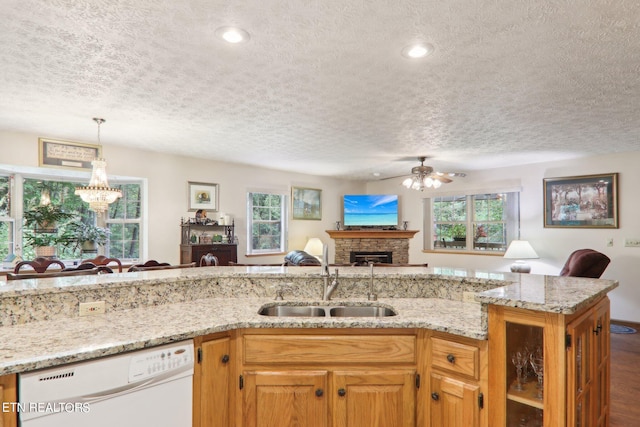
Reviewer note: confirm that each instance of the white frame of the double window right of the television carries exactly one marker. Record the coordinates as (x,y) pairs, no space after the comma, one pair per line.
(511,223)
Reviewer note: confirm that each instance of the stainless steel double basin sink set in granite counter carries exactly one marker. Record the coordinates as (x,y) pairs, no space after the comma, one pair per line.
(288,310)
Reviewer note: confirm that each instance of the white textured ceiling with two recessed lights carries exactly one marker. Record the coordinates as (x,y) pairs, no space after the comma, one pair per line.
(321,86)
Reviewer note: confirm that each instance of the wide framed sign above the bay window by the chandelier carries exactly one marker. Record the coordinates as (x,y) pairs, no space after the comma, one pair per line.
(66,154)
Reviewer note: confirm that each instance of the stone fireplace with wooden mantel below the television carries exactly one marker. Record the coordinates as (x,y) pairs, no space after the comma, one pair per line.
(393,242)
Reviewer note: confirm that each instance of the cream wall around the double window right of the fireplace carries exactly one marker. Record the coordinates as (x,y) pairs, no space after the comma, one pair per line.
(553,245)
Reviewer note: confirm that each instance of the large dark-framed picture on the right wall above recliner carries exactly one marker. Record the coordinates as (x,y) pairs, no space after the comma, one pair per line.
(589,201)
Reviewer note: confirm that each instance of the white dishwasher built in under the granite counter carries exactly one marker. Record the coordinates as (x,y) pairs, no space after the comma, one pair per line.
(151,387)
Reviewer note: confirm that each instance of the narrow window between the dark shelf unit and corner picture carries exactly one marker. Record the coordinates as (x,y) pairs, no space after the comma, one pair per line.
(267,223)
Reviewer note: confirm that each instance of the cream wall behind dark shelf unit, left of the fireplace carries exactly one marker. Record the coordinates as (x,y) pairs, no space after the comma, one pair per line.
(167,177)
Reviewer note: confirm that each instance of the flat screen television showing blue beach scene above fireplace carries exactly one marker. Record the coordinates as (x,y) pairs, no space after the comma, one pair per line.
(370,210)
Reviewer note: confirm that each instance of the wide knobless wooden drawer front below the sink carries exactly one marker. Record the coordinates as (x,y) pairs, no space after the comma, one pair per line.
(326,349)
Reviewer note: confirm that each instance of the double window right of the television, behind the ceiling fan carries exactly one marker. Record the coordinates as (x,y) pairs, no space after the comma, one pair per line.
(479,222)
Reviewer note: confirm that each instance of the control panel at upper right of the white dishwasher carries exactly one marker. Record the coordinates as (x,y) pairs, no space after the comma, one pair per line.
(161,360)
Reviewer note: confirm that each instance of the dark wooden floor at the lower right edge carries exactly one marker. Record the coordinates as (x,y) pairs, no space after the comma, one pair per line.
(625,378)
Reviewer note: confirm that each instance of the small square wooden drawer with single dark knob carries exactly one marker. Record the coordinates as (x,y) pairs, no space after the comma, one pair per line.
(454,357)
